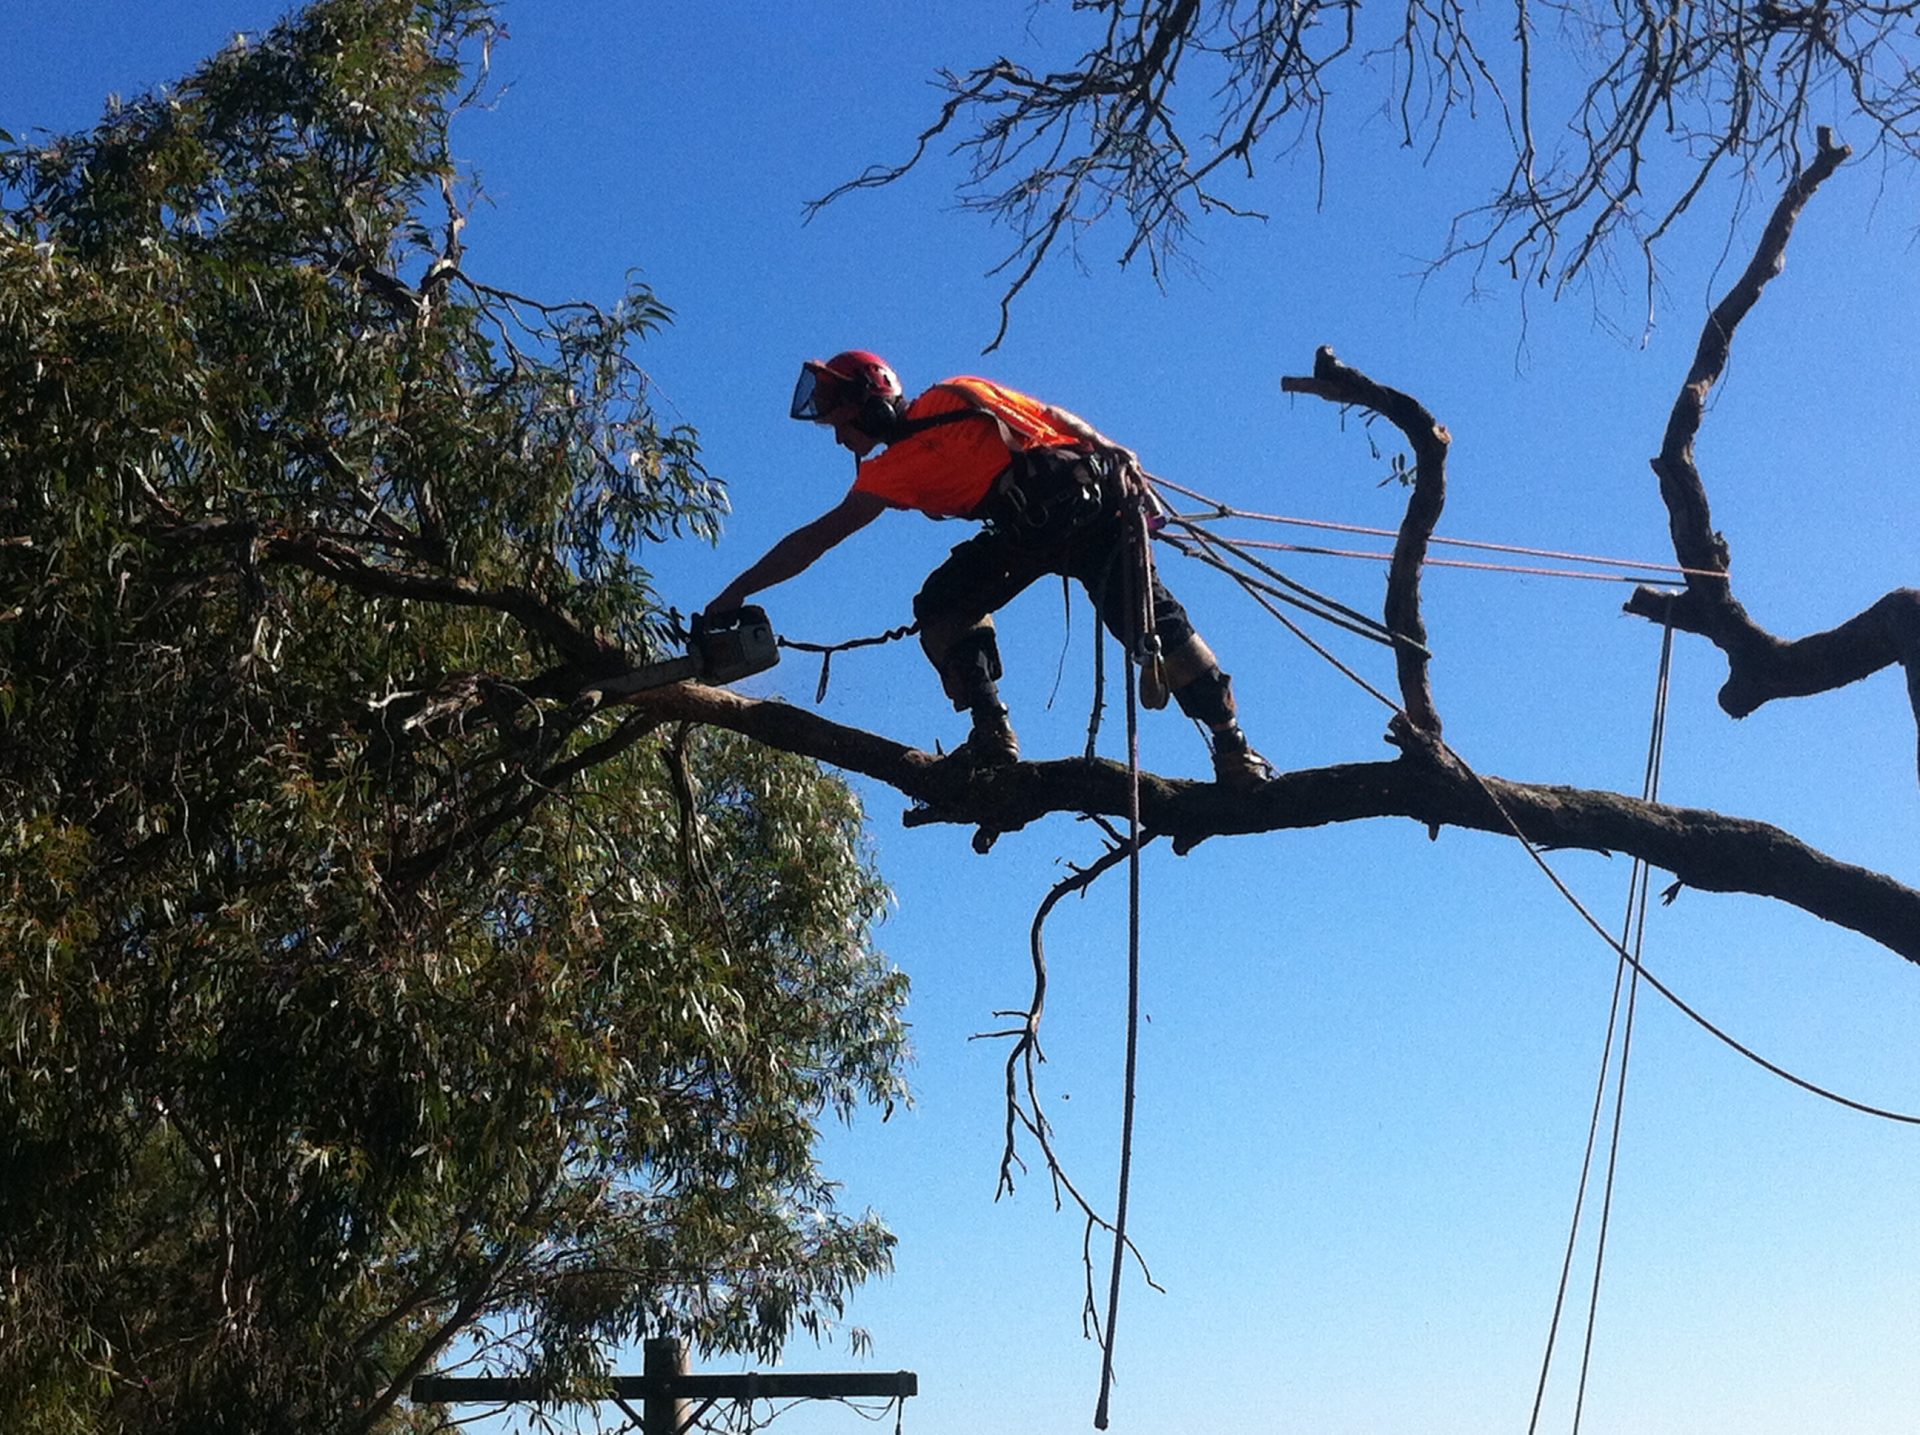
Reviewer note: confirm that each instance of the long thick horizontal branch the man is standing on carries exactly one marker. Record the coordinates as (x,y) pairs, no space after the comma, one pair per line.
(1700,848)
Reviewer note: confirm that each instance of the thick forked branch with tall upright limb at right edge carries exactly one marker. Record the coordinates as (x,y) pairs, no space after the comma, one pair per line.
(1762,668)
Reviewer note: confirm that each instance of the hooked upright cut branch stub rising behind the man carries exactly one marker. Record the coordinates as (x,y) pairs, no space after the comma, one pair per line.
(1429,439)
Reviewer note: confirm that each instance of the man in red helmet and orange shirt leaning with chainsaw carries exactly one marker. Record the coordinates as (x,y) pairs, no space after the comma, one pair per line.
(1055,497)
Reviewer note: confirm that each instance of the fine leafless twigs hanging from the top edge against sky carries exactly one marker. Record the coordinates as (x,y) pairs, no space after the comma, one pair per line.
(1660,103)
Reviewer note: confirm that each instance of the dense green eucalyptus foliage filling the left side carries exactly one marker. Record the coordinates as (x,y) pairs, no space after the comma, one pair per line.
(360,992)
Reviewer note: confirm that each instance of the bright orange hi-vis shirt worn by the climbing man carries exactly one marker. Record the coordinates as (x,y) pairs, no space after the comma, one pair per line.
(949,472)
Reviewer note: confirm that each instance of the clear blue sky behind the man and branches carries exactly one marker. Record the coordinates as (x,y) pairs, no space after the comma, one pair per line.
(1370,1058)
